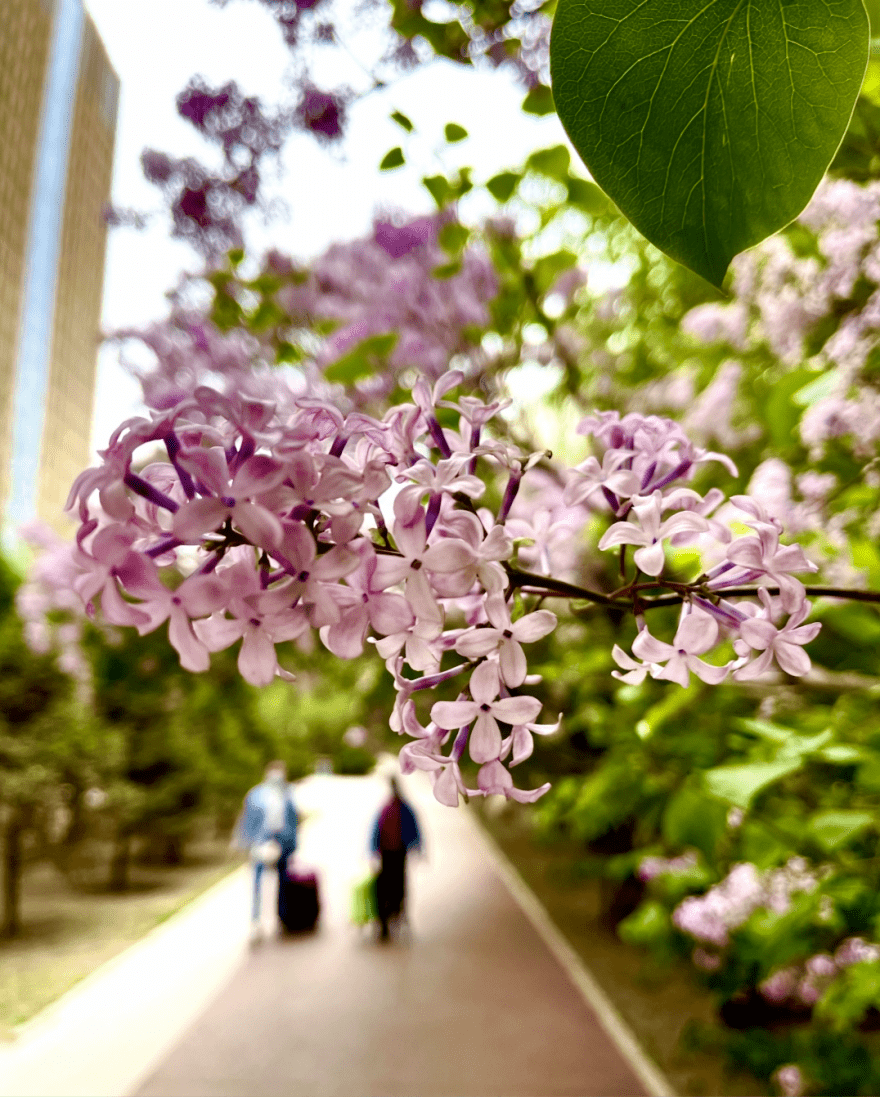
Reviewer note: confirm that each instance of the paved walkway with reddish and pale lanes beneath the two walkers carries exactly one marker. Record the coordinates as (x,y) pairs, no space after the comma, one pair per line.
(477,1005)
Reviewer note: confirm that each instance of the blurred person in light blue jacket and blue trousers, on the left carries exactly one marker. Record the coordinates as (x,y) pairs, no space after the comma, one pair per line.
(267,829)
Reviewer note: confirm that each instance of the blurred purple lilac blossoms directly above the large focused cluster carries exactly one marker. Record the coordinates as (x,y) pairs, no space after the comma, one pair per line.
(371,287)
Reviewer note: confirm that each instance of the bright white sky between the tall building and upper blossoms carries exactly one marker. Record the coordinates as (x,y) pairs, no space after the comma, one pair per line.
(330,195)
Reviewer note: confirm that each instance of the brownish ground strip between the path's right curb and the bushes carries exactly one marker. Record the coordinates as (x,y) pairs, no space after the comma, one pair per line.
(657,1002)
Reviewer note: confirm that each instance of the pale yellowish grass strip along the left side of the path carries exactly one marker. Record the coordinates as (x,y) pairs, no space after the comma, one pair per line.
(67,933)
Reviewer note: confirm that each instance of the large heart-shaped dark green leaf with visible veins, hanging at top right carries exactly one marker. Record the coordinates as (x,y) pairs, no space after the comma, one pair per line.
(710,123)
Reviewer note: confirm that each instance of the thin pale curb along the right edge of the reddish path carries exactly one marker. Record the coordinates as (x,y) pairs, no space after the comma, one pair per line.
(656,1082)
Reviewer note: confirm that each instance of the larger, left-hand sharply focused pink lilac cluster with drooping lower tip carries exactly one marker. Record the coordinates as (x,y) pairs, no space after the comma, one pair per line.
(264,526)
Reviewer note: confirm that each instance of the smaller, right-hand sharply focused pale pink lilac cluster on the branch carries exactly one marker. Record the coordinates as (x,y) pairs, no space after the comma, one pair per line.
(640,474)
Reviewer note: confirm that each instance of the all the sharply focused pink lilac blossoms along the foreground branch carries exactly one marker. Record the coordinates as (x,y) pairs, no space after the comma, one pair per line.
(265,523)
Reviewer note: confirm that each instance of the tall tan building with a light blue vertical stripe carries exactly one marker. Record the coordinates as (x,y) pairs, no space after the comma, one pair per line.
(59,97)
